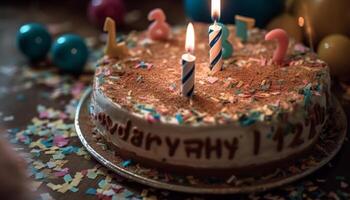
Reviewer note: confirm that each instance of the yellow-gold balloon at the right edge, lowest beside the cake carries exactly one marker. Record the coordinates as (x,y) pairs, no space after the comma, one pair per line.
(334,49)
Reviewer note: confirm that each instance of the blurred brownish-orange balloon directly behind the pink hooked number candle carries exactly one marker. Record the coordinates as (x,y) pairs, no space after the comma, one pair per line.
(288,23)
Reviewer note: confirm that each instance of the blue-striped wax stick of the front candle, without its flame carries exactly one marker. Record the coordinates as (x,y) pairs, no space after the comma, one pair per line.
(188,75)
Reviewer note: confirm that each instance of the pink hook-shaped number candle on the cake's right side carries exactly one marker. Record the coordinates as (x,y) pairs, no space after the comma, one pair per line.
(283,42)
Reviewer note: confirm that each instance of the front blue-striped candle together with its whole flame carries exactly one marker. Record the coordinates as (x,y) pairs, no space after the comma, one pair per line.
(188,64)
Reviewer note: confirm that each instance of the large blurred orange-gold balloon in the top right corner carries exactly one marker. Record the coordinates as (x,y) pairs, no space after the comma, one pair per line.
(324,16)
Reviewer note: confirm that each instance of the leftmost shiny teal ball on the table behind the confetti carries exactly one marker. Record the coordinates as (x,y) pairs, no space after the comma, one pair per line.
(34,41)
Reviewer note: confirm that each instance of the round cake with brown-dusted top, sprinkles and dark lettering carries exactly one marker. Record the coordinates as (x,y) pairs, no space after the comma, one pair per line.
(250,117)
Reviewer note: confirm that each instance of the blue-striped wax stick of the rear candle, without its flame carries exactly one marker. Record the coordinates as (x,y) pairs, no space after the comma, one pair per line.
(215,44)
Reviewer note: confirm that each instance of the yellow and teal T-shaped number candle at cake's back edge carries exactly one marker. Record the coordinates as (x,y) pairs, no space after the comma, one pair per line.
(243,24)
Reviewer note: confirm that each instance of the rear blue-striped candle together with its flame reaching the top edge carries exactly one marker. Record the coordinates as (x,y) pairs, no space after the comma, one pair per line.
(215,38)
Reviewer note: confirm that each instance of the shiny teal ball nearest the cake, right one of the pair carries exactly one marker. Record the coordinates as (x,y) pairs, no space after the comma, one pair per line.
(69,53)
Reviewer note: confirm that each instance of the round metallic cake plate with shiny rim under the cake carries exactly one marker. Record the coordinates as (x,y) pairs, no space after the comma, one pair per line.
(326,148)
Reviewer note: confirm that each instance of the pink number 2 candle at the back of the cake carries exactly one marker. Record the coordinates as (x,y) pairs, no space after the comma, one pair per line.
(159,29)
